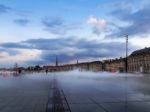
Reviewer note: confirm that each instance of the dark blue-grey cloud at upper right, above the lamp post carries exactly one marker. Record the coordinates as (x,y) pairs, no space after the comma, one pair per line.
(138,22)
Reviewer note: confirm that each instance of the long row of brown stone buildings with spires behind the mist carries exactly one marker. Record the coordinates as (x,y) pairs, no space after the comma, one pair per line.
(138,61)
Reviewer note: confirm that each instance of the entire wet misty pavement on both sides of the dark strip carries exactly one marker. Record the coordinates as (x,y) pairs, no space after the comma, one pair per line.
(84,92)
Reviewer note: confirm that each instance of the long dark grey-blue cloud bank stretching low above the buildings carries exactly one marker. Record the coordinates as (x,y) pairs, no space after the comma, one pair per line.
(68,49)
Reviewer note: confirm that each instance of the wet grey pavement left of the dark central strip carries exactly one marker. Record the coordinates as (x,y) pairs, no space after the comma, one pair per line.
(26,93)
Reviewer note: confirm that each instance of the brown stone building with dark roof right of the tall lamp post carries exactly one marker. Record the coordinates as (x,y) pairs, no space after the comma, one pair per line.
(139,61)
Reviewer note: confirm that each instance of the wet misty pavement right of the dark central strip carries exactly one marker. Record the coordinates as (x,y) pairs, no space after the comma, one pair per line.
(109,91)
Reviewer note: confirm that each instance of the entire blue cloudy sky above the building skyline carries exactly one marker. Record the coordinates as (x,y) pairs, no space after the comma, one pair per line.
(34,32)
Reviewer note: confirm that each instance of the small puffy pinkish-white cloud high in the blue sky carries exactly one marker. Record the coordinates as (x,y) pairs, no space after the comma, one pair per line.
(98,24)
